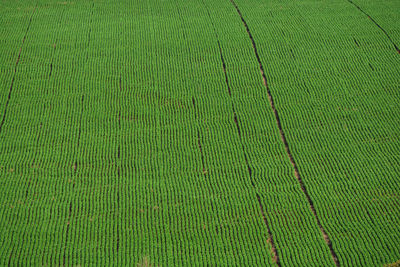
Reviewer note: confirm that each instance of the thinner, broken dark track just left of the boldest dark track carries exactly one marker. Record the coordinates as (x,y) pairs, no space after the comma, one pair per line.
(270,240)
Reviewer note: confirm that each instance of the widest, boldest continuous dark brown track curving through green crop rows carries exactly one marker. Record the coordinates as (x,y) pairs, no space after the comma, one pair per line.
(284,140)
